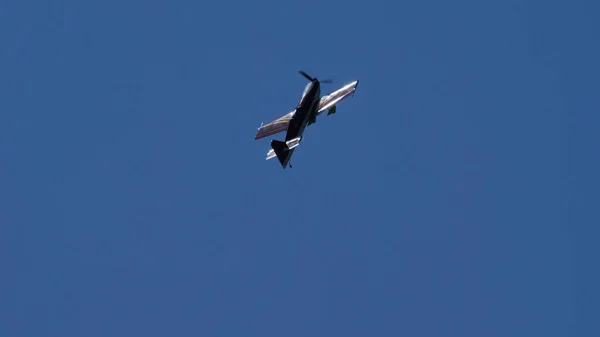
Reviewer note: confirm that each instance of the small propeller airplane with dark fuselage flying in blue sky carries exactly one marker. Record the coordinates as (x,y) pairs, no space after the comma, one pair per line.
(310,106)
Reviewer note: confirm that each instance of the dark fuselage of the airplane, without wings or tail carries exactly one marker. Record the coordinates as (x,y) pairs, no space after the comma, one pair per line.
(305,110)
